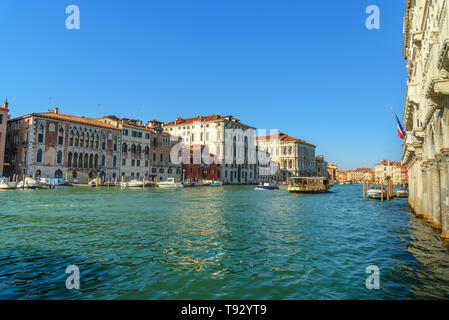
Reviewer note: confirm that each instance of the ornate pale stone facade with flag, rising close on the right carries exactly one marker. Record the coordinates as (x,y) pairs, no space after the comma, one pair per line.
(426,110)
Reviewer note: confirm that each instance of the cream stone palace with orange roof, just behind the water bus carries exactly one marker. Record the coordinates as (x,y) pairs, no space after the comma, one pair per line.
(296,157)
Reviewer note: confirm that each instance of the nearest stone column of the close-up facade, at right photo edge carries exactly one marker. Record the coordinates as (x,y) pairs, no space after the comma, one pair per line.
(444,197)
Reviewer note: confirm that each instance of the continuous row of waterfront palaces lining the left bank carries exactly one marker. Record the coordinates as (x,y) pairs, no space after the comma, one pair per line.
(215,147)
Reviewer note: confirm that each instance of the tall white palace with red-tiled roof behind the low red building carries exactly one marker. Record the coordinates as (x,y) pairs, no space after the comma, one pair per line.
(231,141)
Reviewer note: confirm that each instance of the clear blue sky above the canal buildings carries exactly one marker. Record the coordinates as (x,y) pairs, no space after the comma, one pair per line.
(308,68)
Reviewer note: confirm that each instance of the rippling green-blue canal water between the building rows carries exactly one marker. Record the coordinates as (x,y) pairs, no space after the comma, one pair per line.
(215,243)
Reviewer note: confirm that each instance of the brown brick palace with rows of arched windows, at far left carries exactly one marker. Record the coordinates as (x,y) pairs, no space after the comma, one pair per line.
(56,145)
